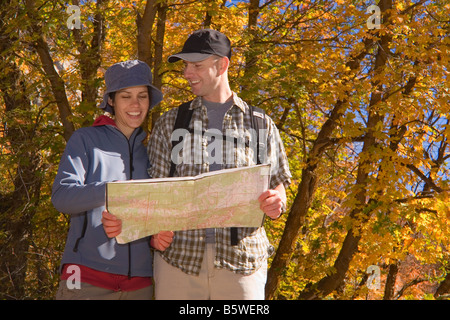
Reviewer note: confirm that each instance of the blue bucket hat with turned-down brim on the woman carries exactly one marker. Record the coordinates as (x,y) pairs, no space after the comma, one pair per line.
(128,74)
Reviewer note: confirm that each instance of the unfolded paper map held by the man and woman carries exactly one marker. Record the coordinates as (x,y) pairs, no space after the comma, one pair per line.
(224,198)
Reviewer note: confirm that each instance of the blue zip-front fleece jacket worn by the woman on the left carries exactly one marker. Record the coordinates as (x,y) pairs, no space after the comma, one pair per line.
(93,157)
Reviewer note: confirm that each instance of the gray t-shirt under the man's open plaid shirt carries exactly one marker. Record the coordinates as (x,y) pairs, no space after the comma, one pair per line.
(216,112)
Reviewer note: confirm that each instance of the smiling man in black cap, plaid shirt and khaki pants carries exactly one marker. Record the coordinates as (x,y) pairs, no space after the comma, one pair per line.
(206,264)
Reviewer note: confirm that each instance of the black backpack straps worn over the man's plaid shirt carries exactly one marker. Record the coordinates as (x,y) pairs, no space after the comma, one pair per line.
(258,122)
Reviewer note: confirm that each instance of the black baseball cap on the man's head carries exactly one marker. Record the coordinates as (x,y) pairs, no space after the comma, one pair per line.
(202,44)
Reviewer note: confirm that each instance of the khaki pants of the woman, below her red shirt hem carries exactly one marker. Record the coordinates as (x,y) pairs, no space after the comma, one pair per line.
(90,292)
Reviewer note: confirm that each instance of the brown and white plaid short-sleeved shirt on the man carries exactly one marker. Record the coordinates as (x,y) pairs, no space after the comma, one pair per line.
(187,249)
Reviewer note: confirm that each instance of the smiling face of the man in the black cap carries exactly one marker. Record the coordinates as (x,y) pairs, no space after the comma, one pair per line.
(204,77)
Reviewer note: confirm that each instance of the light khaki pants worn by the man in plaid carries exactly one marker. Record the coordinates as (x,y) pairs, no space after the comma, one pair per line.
(211,284)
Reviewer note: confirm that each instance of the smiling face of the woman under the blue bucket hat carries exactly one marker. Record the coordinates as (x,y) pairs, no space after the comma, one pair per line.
(130,107)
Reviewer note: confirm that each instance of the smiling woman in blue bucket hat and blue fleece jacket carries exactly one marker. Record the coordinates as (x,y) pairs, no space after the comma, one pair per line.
(95,266)
